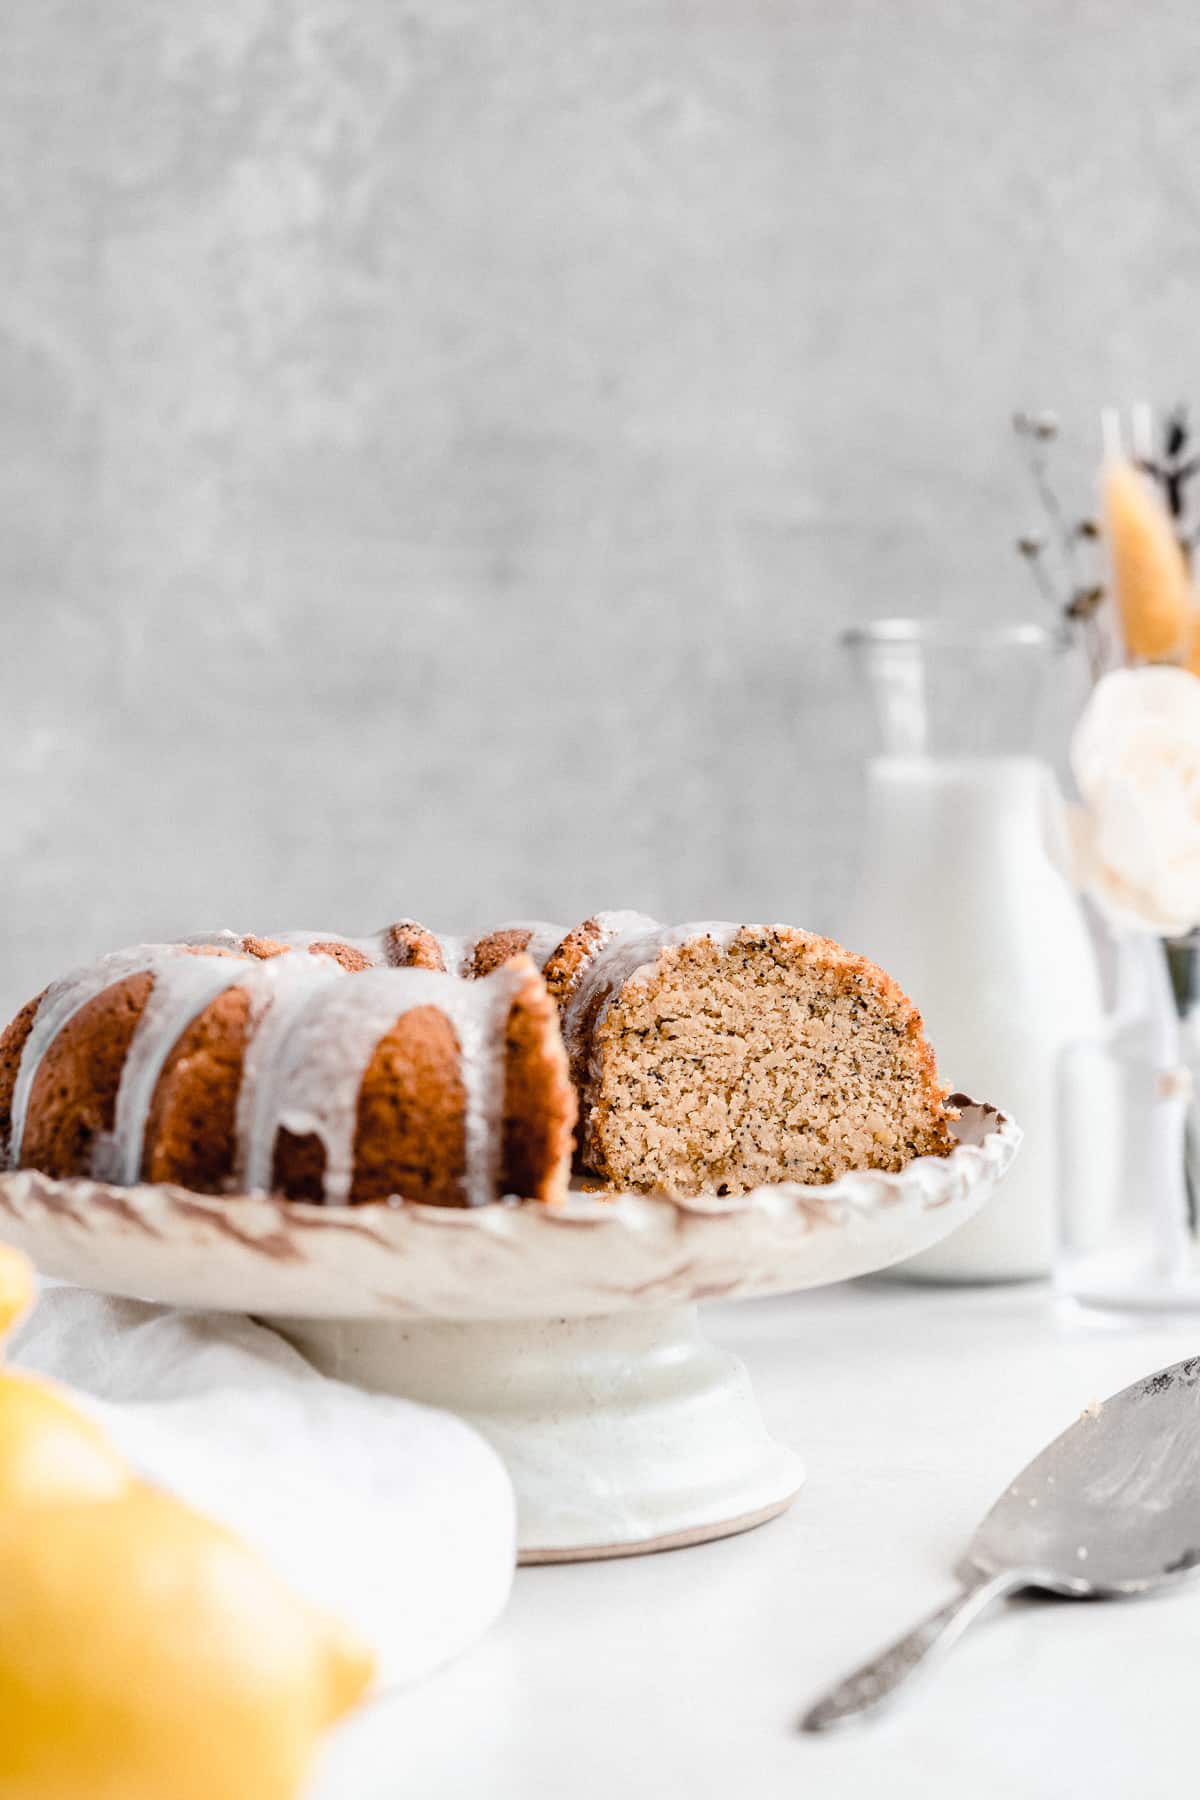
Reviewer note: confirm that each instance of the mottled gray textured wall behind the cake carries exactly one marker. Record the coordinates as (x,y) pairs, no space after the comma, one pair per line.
(440,440)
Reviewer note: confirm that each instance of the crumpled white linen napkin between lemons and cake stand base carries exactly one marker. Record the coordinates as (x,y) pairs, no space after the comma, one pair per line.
(395,1516)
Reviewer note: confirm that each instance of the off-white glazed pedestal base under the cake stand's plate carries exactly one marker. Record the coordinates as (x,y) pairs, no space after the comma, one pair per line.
(623,1434)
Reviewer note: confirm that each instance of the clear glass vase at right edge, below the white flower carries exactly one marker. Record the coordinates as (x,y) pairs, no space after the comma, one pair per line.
(1131,1138)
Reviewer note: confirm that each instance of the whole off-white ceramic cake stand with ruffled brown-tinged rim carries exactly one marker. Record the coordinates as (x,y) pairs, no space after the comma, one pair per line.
(569,1336)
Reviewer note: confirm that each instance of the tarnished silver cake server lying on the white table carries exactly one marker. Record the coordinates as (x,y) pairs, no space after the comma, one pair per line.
(1109,1511)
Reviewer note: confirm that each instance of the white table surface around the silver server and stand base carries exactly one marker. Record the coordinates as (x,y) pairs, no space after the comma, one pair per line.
(681,1675)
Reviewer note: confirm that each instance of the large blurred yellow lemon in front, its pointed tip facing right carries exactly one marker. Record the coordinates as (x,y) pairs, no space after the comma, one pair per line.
(148,1655)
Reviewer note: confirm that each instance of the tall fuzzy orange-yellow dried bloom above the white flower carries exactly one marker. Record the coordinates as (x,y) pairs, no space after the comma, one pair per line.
(1149,568)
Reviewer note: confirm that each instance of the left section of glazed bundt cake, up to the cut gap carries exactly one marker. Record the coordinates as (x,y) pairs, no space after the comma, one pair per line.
(244,1065)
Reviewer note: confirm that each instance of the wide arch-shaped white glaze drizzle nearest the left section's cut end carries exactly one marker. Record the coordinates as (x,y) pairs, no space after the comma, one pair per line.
(309,1077)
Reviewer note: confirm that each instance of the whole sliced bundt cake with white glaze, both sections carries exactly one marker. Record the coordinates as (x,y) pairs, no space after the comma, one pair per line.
(704,1057)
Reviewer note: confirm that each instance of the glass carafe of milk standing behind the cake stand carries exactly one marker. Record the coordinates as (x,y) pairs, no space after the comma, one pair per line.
(963,903)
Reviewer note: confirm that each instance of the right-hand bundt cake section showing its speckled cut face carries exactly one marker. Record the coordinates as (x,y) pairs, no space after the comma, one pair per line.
(722,1057)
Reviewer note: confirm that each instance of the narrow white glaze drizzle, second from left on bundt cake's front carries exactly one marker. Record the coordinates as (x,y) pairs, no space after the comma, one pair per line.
(184,987)
